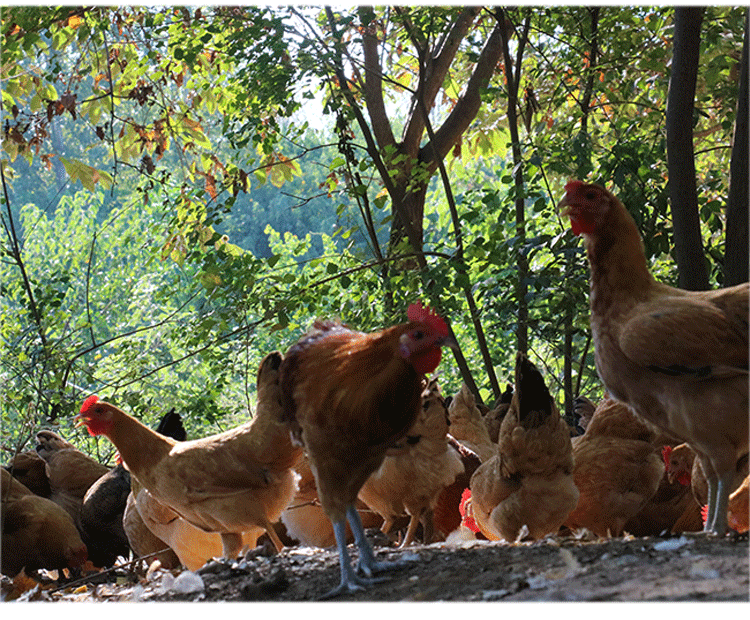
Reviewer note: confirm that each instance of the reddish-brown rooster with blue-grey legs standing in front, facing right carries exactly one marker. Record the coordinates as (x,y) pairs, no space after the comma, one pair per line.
(348,398)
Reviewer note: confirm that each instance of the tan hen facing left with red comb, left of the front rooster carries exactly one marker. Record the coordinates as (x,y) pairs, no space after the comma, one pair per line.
(229,483)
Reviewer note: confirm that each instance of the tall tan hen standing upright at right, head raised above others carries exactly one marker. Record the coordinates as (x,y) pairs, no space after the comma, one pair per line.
(678,358)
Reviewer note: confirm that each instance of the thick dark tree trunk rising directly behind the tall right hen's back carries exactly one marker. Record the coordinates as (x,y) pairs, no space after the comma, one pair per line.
(683,198)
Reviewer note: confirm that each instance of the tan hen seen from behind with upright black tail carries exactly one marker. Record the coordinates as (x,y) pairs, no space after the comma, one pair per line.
(529,482)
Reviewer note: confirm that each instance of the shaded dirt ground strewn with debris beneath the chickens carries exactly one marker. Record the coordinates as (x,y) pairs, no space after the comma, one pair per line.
(685,568)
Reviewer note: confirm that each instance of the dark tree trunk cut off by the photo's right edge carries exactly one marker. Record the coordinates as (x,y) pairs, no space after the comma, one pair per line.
(736,254)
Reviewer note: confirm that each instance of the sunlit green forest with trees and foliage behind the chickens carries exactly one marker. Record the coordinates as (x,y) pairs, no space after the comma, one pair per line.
(186,189)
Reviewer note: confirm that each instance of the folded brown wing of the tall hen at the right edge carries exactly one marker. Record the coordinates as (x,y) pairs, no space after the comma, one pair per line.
(692,335)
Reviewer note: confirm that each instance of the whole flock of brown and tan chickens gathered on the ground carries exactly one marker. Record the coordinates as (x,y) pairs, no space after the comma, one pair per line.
(351,431)
